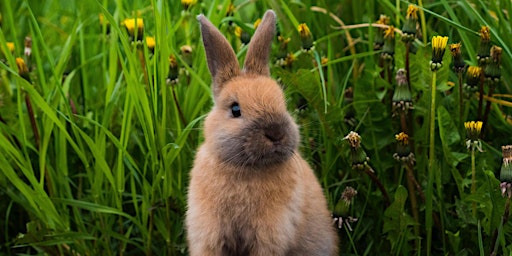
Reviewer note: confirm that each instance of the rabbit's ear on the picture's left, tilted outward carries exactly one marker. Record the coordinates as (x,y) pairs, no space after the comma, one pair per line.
(221,58)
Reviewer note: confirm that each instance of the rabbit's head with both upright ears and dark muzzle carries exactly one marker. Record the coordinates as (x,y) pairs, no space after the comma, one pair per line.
(249,125)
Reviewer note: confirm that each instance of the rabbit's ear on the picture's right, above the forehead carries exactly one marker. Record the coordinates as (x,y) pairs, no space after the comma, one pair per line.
(256,61)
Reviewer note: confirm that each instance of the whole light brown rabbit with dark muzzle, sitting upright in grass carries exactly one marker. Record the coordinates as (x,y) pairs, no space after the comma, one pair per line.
(251,193)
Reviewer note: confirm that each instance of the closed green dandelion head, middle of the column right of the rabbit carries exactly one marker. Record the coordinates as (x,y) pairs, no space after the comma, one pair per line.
(402,97)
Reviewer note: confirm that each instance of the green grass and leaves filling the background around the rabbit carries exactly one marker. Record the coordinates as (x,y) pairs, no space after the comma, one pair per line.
(118,132)
